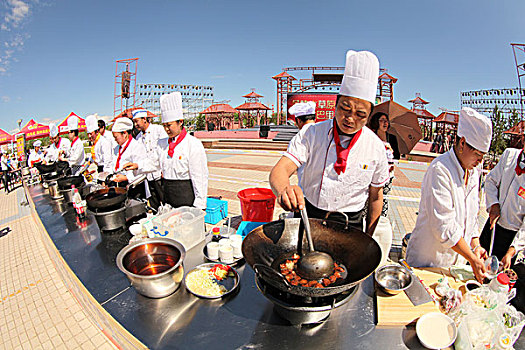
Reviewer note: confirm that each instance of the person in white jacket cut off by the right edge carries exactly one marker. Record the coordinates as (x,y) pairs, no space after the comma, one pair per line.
(505,199)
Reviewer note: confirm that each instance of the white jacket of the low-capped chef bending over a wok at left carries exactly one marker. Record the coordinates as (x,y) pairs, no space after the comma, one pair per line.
(134,153)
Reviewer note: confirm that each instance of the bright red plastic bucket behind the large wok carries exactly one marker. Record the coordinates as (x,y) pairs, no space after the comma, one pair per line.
(257,204)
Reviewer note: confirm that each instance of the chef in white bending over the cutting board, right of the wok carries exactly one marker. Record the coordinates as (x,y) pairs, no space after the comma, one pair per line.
(446,226)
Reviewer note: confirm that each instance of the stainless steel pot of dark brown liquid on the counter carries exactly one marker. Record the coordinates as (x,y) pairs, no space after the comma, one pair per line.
(153,266)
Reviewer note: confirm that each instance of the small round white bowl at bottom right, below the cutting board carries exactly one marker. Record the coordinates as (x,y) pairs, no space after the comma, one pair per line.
(436,330)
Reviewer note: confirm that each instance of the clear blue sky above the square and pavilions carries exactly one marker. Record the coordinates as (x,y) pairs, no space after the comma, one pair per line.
(58,56)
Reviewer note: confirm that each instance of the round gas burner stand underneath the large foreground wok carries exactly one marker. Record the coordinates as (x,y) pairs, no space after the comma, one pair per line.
(300,310)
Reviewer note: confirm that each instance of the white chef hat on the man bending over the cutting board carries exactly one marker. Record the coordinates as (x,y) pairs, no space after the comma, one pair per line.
(475,128)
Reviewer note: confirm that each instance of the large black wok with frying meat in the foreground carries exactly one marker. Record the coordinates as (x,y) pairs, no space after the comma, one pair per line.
(271,244)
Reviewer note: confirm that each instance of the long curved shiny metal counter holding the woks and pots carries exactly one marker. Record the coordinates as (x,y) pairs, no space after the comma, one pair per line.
(243,320)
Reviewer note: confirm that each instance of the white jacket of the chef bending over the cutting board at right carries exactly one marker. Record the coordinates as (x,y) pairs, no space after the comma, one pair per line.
(448,211)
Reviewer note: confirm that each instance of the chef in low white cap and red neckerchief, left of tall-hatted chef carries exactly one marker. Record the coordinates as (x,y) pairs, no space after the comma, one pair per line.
(129,158)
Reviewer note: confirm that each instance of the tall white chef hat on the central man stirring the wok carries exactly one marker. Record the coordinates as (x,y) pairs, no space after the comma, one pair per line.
(360,77)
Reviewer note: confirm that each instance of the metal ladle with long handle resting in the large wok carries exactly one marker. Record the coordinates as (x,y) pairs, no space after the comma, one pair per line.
(313,265)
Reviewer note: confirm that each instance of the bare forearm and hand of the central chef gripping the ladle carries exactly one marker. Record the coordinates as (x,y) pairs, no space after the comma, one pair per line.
(290,197)
